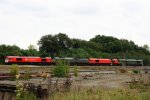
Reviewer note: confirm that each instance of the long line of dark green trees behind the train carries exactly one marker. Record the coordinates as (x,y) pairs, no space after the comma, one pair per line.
(60,45)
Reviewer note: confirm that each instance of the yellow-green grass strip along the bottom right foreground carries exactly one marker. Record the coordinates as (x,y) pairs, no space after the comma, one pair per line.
(101,94)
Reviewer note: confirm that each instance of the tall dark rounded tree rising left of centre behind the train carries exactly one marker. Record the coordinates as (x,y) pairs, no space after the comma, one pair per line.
(50,45)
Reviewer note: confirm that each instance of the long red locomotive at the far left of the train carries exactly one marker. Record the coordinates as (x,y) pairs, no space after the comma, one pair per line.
(27,60)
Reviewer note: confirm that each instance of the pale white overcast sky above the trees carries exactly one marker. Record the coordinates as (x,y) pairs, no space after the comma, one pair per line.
(24,22)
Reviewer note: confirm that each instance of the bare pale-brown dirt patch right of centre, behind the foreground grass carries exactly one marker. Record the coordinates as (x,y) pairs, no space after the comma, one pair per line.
(110,81)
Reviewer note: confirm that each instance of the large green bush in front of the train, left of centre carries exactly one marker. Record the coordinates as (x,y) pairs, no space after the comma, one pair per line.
(61,69)
